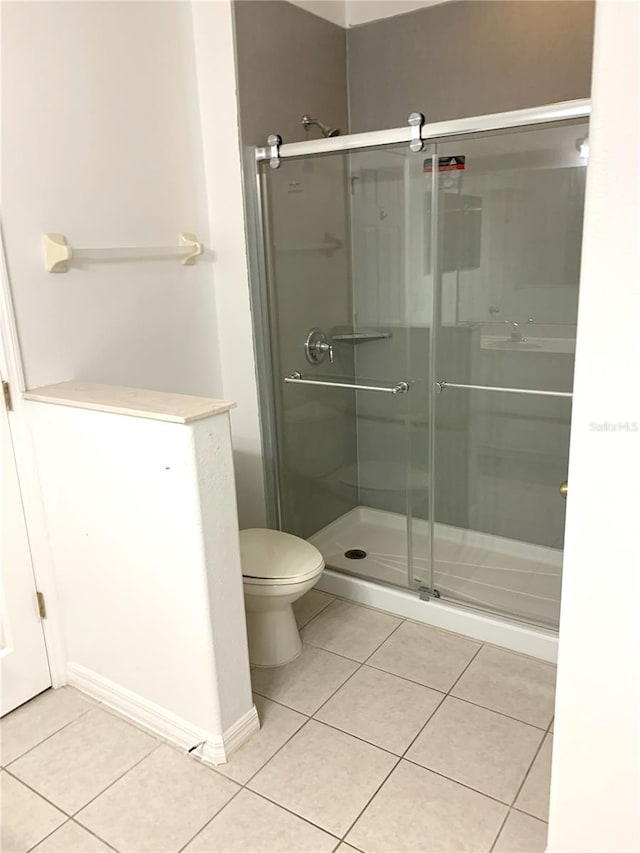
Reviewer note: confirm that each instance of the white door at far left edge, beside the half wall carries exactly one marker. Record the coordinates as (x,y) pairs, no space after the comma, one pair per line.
(24,669)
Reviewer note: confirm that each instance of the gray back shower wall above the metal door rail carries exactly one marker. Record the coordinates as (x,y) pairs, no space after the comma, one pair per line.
(468,57)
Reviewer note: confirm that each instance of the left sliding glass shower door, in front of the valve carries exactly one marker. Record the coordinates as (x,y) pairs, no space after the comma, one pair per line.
(350,382)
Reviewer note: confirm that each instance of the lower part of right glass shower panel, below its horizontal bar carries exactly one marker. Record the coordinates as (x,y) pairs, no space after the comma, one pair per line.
(500,517)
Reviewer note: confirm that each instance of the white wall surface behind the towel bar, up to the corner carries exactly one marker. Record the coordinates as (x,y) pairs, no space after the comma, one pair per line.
(101,141)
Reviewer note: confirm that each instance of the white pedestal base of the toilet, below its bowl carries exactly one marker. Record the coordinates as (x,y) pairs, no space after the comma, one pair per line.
(273,636)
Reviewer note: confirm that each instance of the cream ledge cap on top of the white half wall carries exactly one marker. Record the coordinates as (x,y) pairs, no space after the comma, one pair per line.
(135,402)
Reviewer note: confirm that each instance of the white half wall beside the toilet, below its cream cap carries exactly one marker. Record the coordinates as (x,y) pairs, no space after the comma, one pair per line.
(144,537)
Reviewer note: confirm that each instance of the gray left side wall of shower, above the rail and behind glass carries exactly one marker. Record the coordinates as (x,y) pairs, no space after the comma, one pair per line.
(291,62)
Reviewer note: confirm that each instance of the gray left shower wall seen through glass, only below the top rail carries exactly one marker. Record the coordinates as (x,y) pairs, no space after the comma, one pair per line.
(305,208)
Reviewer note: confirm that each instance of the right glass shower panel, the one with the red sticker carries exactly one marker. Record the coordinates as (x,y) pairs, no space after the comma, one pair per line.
(509,258)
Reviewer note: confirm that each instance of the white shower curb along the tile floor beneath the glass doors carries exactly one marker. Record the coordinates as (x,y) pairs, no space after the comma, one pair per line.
(518,637)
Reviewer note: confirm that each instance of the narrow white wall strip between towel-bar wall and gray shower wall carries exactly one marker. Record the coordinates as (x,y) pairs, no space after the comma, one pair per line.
(215,61)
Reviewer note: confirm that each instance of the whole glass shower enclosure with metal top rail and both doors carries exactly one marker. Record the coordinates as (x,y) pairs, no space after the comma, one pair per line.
(418,330)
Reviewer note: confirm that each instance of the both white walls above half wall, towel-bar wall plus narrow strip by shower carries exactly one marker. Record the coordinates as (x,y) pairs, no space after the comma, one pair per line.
(104,141)
